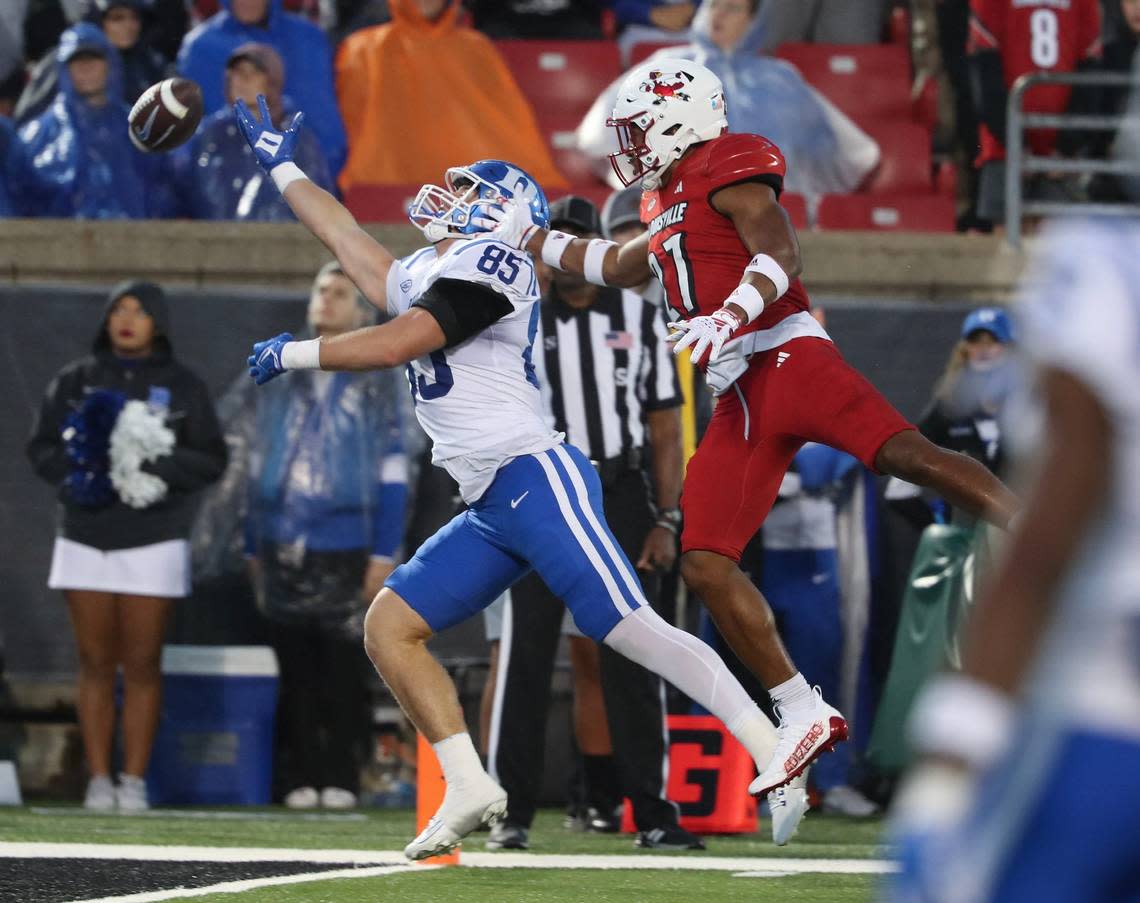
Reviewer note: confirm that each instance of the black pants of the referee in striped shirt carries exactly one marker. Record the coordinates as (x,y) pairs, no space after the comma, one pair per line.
(634,698)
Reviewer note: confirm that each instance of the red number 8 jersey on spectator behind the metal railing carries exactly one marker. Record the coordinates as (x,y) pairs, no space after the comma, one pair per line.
(1035,36)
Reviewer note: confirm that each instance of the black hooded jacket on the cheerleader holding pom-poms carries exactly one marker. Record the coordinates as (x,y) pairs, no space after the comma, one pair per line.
(199,458)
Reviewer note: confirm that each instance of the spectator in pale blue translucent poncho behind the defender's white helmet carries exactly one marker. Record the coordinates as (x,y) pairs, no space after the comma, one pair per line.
(826,151)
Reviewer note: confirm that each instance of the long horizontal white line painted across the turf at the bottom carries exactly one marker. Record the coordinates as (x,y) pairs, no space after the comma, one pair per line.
(386,858)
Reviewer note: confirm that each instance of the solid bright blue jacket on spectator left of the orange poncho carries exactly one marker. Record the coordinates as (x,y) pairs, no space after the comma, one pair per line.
(308,62)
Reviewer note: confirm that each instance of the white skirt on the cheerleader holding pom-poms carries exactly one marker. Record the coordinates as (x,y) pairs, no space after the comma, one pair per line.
(161,570)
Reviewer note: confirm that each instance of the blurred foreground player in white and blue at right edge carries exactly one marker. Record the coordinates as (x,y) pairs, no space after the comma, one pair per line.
(1030,787)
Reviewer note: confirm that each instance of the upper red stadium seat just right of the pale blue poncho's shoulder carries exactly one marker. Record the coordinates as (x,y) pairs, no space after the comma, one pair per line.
(865,82)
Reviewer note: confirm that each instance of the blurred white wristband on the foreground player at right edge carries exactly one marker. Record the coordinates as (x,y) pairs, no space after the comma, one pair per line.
(964,719)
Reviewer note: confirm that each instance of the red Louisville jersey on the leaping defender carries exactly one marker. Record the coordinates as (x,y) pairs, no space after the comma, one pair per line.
(696,251)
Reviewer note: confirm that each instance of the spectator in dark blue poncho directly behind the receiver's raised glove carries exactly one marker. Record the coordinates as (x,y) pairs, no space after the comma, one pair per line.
(217,175)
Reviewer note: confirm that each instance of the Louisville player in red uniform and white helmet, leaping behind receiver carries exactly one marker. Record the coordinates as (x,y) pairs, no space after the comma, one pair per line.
(728,256)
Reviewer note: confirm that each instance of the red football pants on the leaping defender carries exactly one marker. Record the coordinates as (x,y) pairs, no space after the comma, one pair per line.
(799,393)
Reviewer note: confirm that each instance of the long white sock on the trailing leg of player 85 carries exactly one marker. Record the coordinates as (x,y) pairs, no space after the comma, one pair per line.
(695,669)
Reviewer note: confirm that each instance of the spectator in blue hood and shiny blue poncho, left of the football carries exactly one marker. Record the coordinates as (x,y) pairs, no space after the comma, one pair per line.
(84,164)
